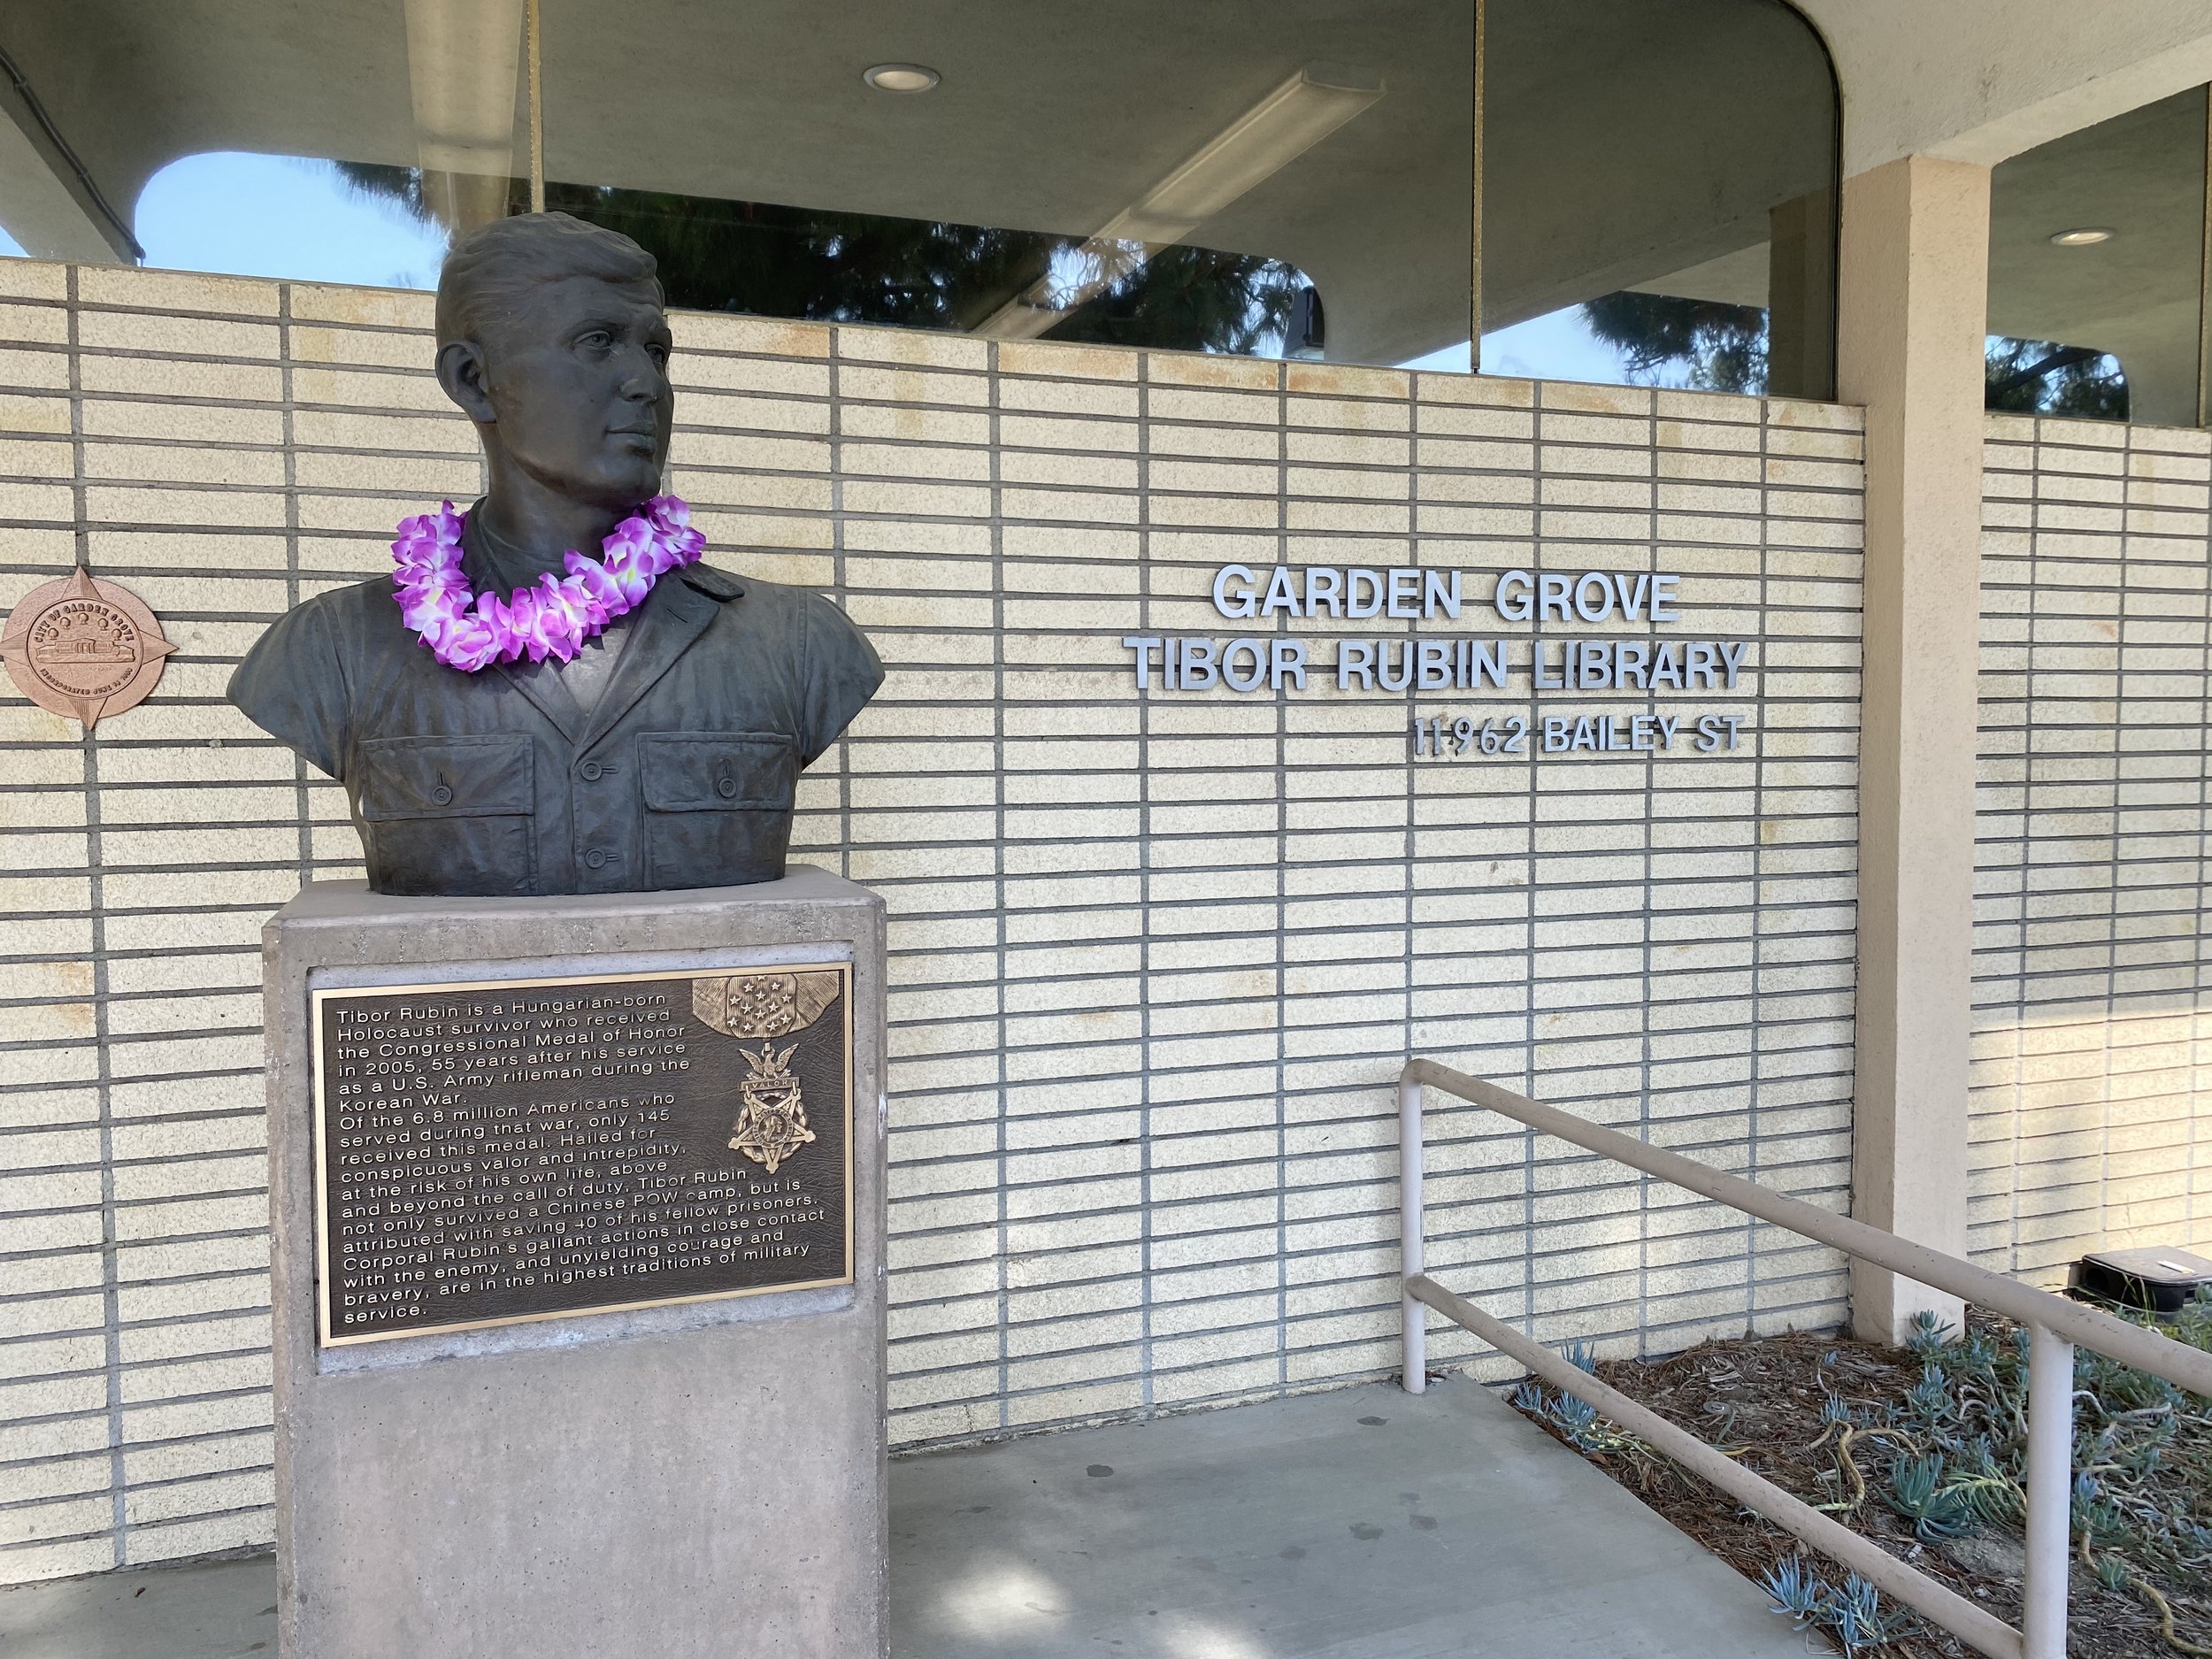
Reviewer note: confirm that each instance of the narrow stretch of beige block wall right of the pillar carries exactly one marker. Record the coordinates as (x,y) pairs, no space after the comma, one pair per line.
(2094,1054)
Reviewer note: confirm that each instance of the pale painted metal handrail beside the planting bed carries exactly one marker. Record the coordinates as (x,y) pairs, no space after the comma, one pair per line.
(2054,1328)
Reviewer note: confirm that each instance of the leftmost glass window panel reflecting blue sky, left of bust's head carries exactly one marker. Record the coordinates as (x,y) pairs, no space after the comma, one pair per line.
(209,132)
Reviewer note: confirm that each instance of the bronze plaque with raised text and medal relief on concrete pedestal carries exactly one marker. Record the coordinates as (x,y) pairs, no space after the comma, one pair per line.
(532,1149)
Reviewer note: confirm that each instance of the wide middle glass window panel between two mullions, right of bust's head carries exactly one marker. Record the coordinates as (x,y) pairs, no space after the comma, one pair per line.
(1249,176)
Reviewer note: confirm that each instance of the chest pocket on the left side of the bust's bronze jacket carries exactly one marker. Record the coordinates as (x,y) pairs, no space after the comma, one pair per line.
(450,815)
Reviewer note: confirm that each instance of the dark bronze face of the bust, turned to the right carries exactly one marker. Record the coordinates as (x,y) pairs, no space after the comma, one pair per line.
(578,388)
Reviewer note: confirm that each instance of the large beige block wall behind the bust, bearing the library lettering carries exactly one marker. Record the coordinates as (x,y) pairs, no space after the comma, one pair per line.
(1156,961)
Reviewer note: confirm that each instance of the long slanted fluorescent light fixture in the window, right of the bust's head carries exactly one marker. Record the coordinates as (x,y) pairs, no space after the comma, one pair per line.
(1255,147)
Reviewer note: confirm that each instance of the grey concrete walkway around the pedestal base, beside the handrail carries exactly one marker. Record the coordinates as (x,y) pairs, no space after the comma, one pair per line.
(1353,1525)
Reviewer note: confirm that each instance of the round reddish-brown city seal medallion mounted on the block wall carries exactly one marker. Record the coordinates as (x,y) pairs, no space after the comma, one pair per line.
(83,649)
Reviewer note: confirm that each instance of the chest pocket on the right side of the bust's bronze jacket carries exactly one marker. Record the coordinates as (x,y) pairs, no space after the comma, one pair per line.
(718,806)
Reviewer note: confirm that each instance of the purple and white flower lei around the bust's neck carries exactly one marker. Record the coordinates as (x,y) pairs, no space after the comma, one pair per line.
(547,618)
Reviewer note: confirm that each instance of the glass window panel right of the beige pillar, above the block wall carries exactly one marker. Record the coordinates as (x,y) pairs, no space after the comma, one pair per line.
(2096,271)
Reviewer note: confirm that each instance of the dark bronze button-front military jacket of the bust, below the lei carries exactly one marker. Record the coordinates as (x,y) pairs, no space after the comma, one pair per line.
(680,775)
